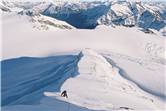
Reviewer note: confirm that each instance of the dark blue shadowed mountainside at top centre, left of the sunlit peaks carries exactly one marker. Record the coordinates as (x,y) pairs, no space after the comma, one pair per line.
(82,18)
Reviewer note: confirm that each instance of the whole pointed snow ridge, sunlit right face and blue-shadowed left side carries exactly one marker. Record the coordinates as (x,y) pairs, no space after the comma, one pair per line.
(95,84)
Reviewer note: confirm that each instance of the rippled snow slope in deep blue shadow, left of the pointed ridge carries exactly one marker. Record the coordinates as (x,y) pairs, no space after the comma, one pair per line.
(24,79)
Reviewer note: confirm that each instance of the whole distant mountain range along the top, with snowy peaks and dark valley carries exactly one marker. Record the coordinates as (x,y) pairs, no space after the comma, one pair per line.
(146,15)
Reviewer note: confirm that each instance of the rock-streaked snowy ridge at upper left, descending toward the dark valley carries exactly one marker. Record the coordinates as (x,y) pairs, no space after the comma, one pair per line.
(35,20)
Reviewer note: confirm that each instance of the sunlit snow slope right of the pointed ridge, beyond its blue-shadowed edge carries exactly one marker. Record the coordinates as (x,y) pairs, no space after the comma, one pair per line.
(137,71)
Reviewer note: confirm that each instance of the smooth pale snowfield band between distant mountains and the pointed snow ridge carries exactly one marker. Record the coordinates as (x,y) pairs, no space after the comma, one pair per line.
(128,41)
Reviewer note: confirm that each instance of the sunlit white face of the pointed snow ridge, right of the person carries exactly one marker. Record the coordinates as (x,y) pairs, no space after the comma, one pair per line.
(99,86)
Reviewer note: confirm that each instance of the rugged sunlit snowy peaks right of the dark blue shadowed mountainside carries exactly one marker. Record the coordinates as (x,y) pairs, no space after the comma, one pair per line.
(141,14)
